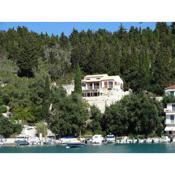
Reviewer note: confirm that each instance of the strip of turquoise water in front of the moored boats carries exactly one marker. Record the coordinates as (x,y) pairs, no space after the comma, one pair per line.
(109,148)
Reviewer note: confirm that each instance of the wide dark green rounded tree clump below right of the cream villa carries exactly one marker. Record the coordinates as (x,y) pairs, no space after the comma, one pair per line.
(136,114)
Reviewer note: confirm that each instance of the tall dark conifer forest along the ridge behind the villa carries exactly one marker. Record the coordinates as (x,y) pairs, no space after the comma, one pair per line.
(144,58)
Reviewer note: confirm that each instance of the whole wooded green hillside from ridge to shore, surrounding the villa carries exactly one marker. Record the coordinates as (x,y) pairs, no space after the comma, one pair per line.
(30,62)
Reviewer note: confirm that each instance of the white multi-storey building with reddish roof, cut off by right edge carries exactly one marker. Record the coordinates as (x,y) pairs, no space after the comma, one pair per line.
(170,112)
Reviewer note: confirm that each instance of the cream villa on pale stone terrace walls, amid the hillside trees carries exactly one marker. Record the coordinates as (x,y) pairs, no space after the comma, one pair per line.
(100,90)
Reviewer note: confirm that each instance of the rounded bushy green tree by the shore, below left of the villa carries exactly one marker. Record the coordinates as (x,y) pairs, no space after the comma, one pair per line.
(68,115)
